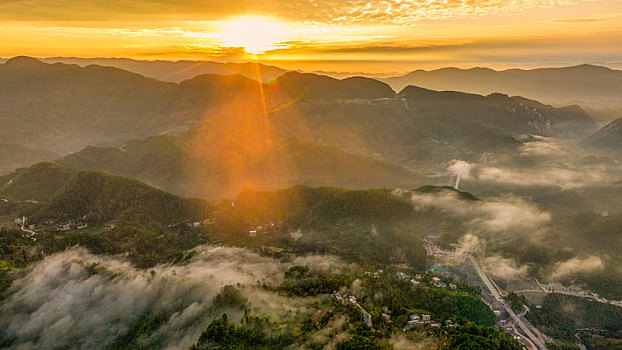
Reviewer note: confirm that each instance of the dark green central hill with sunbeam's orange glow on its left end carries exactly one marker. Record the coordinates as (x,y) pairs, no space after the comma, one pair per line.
(367,226)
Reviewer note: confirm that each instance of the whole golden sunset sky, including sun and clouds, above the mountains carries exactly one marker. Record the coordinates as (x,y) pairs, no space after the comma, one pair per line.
(339,35)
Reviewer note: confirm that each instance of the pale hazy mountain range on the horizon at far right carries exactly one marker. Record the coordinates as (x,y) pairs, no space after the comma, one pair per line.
(587,85)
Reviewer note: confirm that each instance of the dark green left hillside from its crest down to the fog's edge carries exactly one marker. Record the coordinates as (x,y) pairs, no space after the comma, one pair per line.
(122,216)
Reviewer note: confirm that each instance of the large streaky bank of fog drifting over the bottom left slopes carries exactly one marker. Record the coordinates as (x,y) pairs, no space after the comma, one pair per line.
(60,305)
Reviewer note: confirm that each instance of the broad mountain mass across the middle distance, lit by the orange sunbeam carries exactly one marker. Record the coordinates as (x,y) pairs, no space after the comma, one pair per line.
(230,132)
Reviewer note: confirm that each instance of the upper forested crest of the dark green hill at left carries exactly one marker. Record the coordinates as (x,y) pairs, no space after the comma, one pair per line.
(66,194)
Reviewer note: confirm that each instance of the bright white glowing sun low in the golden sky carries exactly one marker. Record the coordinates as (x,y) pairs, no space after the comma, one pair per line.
(255,34)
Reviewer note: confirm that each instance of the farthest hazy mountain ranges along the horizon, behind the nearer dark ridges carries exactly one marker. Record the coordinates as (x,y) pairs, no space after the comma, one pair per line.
(598,88)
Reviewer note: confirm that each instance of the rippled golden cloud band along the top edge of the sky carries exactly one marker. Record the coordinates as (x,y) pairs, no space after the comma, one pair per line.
(361,12)
